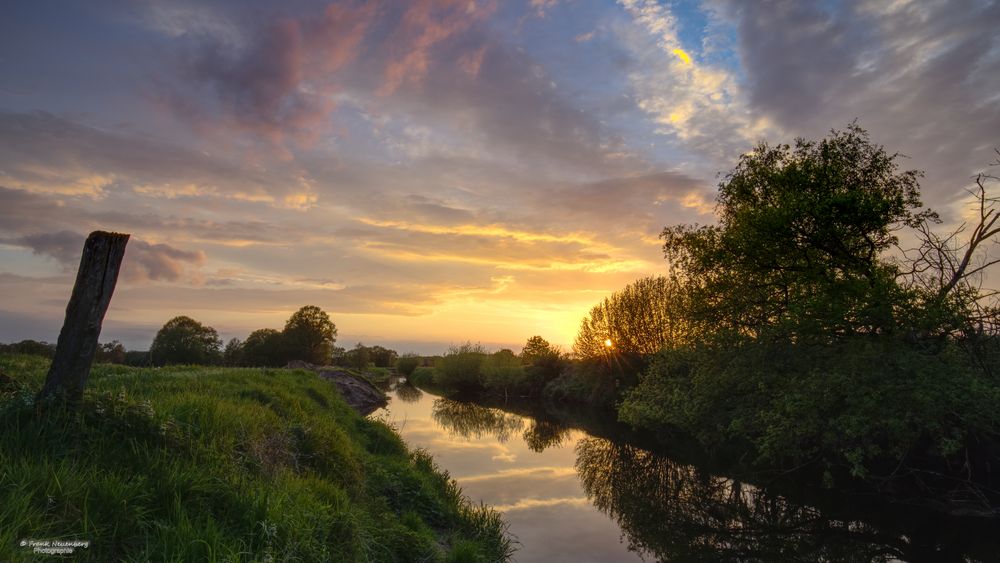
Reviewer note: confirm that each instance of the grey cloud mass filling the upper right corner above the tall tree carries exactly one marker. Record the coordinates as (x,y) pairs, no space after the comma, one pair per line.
(922,77)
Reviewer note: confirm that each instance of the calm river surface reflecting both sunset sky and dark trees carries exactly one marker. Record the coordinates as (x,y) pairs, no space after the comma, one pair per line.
(575,496)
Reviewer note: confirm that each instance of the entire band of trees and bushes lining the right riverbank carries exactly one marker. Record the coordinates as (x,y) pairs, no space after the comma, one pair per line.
(822,325)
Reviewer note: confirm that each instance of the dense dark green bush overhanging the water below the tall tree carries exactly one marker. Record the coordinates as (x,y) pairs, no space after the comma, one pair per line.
(828,405)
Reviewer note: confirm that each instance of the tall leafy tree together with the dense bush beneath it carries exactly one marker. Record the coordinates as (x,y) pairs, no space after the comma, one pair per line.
(806,343)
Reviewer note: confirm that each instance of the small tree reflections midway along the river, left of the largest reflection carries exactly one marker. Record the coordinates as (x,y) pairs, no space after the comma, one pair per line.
(473,421)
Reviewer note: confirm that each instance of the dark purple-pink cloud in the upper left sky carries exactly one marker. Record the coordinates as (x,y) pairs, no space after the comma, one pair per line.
(278,85)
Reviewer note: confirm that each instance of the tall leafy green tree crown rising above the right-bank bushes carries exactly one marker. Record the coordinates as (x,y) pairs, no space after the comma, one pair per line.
(798,247)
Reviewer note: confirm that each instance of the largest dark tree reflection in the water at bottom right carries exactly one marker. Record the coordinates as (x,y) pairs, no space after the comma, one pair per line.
(676,513)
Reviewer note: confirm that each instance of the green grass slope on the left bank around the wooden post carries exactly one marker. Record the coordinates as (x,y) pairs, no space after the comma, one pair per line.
(222,464)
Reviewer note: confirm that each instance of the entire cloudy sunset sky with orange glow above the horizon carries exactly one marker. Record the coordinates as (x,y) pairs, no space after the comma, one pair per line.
(435,171)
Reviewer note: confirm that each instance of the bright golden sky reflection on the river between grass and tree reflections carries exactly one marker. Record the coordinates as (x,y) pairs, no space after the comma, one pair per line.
(539,493)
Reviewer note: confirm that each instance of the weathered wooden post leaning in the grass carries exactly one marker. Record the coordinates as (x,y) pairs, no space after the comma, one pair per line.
(95,282)
